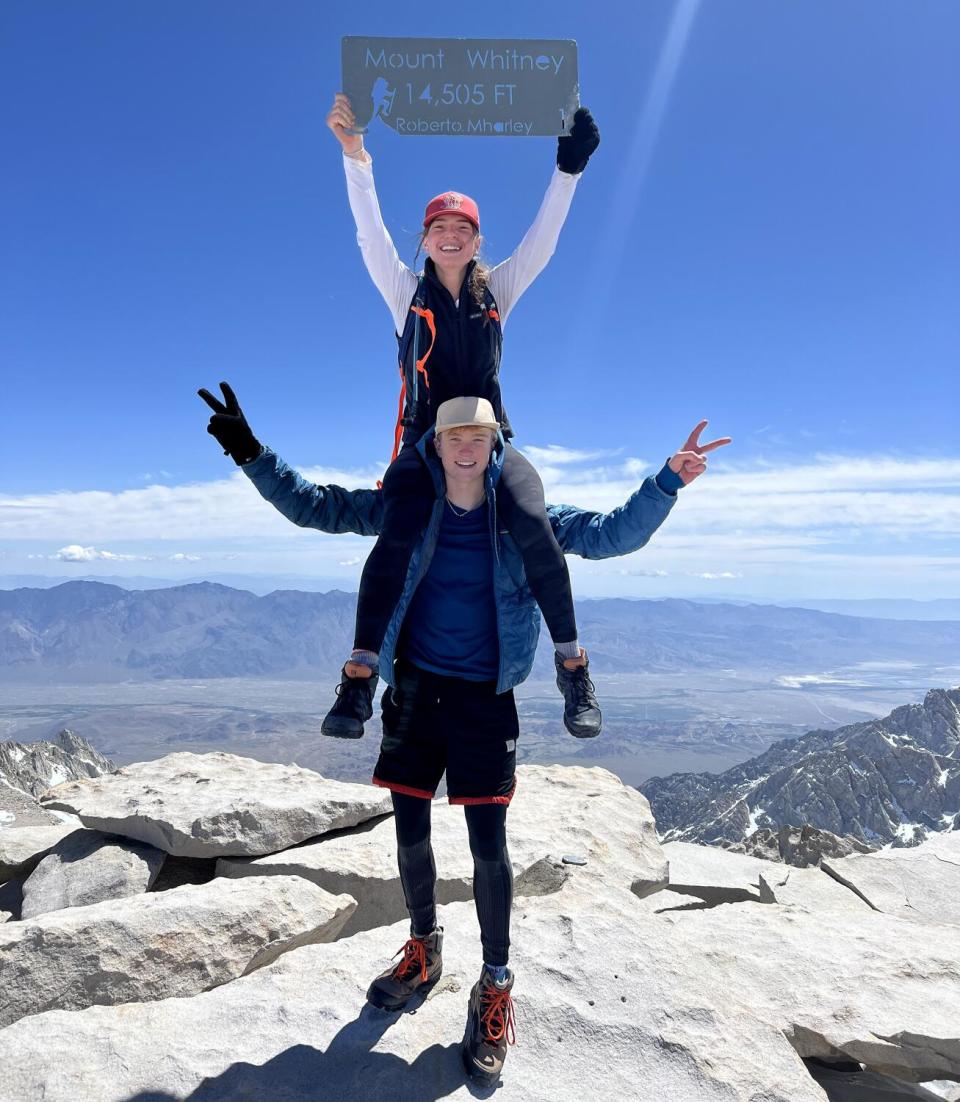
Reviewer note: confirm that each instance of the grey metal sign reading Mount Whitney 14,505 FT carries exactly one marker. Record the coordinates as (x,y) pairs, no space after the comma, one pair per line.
(486,88)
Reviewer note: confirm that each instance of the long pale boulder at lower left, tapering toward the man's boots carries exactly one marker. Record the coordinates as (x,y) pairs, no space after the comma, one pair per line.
(161,945)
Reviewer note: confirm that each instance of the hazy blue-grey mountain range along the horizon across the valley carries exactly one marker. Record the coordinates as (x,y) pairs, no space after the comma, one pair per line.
(89,631)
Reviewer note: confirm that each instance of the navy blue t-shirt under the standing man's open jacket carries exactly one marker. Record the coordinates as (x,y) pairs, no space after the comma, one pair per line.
(451,626)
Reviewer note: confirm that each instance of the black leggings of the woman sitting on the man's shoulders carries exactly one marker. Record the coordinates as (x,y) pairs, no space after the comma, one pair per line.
(408,499)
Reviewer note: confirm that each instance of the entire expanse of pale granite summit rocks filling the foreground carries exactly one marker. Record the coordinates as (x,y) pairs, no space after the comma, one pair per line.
(724,978)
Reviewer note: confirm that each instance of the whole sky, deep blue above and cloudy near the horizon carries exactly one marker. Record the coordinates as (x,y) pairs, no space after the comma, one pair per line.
(768,237)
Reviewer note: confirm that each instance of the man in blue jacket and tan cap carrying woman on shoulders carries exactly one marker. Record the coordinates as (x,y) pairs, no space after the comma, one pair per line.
(462,638)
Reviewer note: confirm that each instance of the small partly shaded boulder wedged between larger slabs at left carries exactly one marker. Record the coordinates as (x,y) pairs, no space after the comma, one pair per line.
(88,868)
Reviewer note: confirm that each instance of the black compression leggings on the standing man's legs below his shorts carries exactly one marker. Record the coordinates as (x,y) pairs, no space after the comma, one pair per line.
(493,876)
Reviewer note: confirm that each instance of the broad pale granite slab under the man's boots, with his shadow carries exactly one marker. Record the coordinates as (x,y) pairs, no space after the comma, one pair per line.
(698,1007)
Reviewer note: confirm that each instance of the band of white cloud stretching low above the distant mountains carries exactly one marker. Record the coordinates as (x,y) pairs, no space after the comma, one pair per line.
(834,521)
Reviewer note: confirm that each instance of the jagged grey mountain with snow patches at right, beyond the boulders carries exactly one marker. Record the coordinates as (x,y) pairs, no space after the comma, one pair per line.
(893,781)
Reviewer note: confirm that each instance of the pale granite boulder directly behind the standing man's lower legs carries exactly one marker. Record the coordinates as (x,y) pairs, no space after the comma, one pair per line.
(586,815)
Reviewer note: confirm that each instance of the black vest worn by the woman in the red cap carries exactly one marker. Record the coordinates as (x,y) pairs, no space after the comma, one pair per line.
(459,348)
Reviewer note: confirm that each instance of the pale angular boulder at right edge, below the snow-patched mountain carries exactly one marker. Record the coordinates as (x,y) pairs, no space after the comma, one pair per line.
(921,883)
